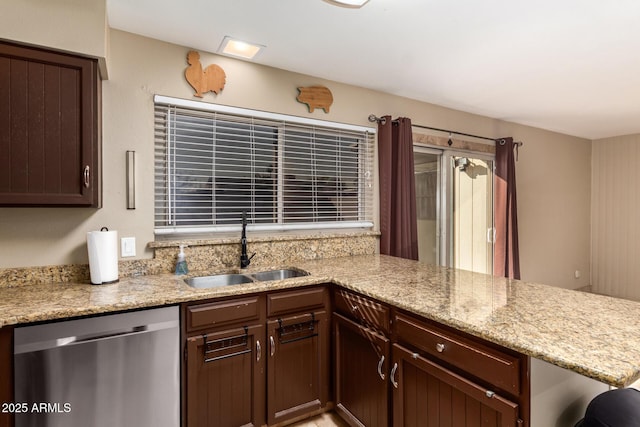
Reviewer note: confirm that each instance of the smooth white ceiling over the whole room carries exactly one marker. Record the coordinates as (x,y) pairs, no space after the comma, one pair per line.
(571,66)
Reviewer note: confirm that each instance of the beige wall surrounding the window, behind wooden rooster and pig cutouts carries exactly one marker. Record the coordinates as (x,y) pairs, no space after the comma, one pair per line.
(553,168)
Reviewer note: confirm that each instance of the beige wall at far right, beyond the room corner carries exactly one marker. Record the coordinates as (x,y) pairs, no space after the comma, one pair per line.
(615,209)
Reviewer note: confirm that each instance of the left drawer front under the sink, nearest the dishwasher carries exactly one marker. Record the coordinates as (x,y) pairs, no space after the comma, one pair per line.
(224,312)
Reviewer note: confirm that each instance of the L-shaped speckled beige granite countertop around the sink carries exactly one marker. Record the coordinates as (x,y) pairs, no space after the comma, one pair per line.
(594,335)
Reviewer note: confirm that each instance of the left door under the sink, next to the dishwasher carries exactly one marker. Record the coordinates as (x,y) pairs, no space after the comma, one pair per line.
(226,378)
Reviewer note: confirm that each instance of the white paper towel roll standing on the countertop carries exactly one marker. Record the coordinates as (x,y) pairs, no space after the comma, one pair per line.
(103,256)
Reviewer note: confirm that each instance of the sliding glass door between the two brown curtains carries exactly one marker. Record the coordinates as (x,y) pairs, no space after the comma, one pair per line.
(454,192)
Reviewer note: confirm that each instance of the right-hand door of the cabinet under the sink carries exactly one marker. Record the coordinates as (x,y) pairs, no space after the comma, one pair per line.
(297,365)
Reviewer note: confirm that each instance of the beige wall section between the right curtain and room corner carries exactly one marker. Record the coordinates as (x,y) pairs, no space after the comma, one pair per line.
(553,175)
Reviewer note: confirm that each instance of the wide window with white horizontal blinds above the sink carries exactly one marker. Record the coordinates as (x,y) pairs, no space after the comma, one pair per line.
(213,162)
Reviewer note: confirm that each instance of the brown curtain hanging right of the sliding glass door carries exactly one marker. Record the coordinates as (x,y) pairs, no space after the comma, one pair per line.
(506,254)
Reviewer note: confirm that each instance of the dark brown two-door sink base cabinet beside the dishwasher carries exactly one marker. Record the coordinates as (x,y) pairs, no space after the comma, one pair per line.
(257,359)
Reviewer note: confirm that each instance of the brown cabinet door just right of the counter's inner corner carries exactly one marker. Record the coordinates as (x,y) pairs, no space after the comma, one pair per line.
(361,373)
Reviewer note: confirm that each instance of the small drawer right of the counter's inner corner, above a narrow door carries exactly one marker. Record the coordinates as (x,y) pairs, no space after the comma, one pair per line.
(363,309)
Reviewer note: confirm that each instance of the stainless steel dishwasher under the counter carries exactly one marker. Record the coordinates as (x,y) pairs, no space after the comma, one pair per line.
(114,370)
